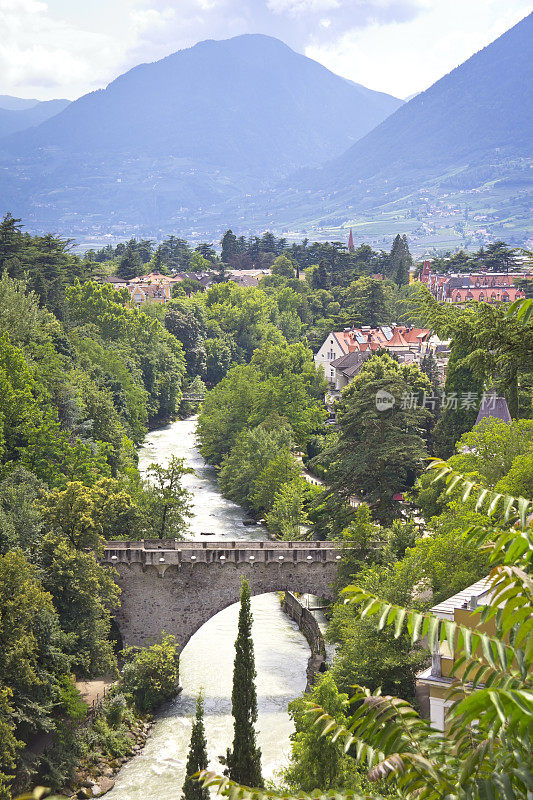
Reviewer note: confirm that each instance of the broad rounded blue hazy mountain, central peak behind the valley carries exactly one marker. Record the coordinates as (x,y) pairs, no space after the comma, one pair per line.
(216,121)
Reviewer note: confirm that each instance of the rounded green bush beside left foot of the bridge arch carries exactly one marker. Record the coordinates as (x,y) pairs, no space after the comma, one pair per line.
(151,675)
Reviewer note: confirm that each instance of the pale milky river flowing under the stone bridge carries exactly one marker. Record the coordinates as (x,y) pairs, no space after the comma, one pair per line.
(206,663)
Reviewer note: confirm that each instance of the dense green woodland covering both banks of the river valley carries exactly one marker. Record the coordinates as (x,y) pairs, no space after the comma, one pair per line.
(83,376)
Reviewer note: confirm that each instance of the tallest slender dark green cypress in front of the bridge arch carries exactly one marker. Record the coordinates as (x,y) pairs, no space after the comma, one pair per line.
(244,760)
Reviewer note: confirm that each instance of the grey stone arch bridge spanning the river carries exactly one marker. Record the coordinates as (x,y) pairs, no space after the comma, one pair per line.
(175,586)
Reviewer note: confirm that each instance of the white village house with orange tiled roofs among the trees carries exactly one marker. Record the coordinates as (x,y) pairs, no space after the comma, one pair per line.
(343,352)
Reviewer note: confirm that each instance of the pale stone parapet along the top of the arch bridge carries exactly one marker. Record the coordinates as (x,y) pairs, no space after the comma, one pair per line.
(173,552)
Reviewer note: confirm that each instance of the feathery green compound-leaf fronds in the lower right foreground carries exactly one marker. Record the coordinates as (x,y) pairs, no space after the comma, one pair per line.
(486,749)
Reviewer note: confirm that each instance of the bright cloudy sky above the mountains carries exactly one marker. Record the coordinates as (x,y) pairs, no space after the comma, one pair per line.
(65,48)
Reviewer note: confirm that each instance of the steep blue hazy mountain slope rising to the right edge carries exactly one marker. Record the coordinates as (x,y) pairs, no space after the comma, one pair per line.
(465,141)
